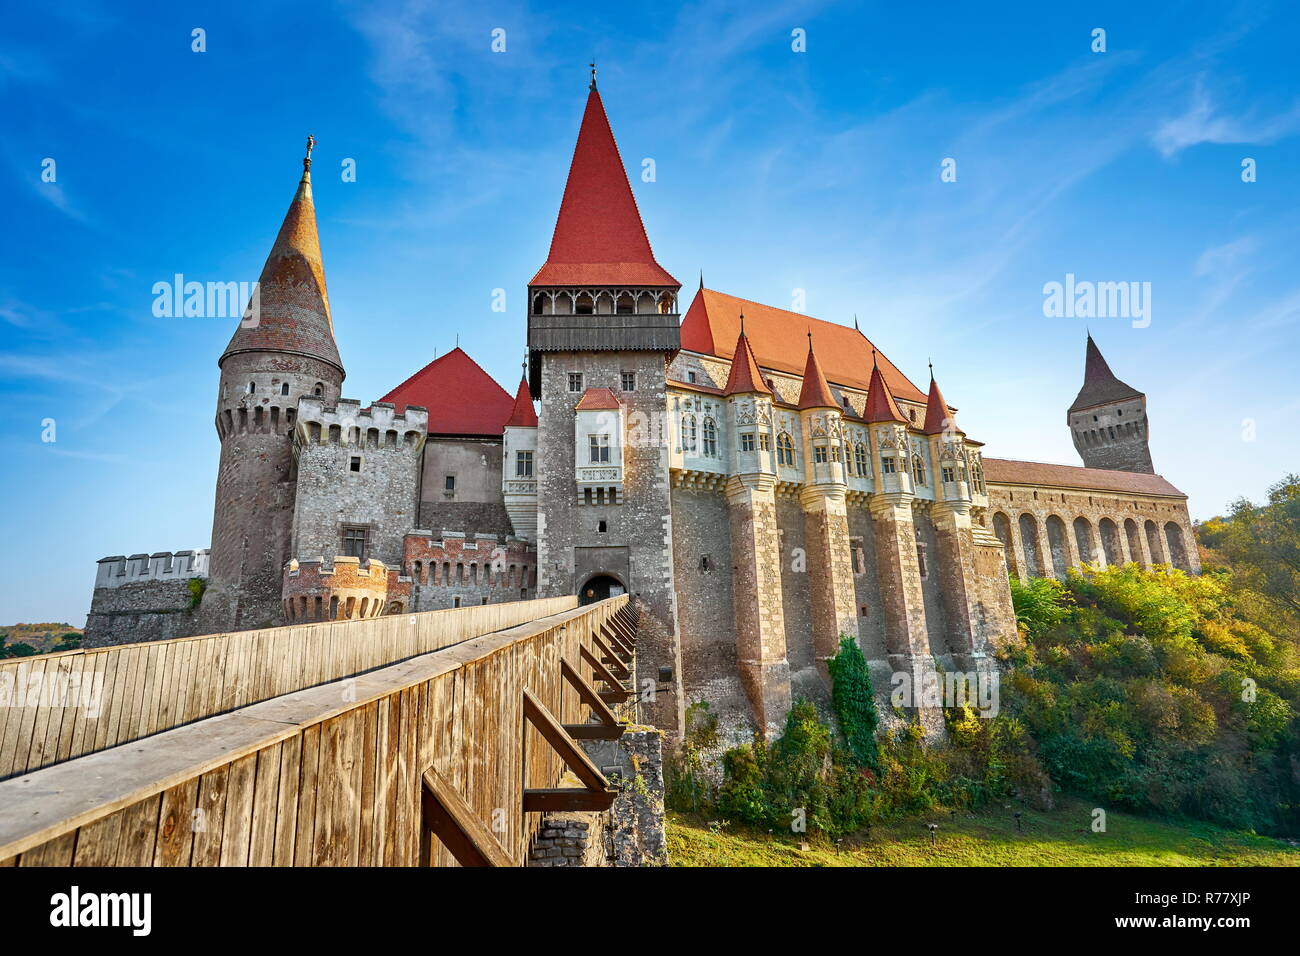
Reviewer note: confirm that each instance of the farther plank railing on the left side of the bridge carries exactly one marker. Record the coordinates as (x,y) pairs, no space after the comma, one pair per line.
(59,707)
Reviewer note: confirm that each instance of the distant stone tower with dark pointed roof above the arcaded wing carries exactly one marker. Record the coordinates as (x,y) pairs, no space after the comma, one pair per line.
(1108,419)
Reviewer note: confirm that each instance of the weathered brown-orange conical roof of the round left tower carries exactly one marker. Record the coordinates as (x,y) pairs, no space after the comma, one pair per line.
(293,304)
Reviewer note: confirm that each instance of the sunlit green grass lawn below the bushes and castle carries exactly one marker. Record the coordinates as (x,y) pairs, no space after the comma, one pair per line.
(990,838)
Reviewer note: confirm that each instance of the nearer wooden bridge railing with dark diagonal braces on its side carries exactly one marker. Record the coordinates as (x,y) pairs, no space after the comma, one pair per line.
(419,762)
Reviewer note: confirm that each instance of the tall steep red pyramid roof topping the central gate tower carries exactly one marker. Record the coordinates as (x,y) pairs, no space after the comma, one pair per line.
(600,237)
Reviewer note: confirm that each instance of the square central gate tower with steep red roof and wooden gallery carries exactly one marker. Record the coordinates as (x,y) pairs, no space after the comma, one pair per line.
(603,327)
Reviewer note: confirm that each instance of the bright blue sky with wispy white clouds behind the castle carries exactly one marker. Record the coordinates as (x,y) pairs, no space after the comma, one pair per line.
(775,171)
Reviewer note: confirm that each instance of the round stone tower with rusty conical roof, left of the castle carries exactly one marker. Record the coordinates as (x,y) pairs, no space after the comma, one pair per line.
(283,351)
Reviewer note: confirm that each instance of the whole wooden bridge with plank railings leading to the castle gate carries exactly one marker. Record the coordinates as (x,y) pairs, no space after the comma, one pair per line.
(421,739)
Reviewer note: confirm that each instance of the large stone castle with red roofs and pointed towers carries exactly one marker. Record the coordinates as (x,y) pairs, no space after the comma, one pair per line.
(762,481)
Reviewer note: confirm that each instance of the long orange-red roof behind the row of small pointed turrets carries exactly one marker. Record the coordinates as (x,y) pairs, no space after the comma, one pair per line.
(778,338)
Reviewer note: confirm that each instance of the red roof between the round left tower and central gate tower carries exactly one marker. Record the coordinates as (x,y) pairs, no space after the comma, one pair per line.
(461,397)
